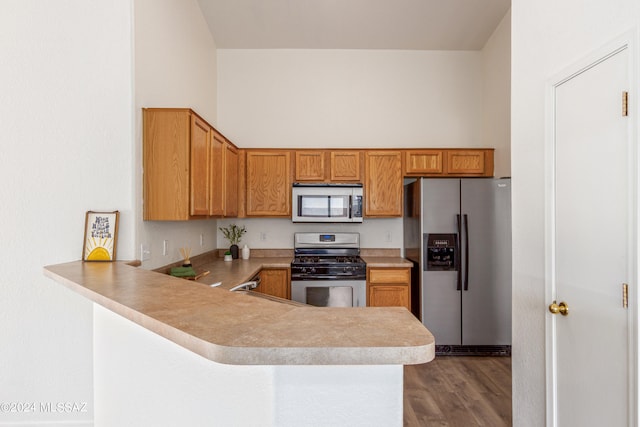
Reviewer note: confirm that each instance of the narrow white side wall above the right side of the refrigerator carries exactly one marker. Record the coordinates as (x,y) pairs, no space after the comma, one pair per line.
(496,95)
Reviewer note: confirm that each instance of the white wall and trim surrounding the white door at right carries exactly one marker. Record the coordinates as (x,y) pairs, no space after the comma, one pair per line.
(547,36)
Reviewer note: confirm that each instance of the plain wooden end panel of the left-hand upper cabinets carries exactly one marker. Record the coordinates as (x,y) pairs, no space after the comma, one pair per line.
(166,189)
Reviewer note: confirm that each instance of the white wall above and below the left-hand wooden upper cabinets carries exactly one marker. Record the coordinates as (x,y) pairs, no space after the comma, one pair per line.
(175,66)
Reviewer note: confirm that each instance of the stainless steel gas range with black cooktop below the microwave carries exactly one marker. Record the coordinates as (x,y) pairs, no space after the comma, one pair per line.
(327,270)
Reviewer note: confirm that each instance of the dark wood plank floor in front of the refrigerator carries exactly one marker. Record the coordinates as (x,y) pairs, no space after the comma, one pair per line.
(458,391)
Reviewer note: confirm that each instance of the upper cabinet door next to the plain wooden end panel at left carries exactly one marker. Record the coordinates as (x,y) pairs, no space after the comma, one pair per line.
(200,134)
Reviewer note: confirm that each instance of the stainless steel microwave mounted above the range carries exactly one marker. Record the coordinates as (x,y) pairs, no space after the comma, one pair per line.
(326,203)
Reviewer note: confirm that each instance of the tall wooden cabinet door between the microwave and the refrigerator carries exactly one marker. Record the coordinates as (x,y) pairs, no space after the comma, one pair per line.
(383,184)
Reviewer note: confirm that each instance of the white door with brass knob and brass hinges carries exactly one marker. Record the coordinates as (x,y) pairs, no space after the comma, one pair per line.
(591,217)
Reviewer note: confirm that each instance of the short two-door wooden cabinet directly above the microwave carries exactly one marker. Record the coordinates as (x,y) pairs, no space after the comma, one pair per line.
(328,166)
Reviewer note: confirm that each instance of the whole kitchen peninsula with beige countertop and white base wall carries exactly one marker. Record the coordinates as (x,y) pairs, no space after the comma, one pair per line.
(217,351)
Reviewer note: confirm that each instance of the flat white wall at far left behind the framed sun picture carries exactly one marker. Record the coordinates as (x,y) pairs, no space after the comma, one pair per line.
(66,142)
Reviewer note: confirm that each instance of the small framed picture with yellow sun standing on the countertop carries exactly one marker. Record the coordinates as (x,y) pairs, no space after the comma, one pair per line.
(100,236)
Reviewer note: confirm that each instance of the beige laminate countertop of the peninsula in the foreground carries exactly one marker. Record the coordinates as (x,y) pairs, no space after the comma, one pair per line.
(237,328)
